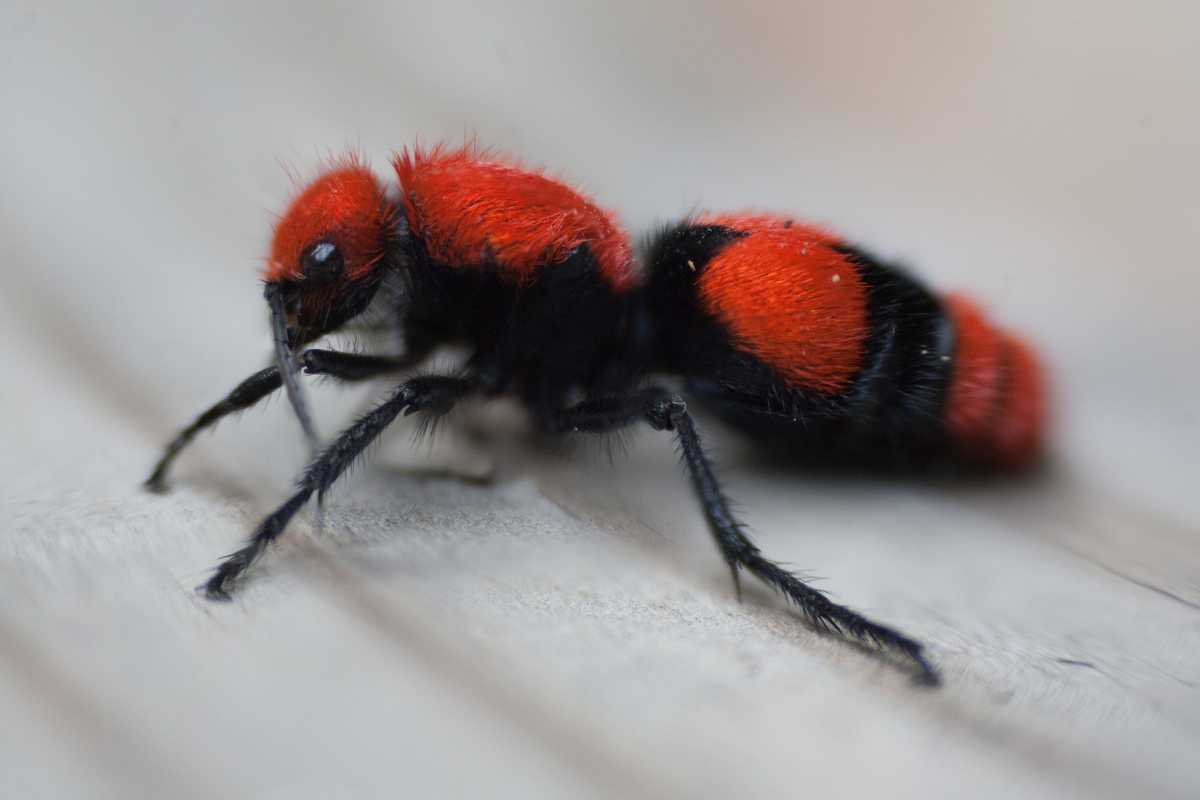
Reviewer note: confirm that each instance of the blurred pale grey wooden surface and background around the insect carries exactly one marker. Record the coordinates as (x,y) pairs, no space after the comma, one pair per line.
(568,630)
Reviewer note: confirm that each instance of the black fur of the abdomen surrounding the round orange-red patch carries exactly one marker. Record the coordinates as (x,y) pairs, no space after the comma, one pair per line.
(890,417)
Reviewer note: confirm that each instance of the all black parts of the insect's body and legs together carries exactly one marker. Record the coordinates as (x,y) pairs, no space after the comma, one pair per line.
(577,352)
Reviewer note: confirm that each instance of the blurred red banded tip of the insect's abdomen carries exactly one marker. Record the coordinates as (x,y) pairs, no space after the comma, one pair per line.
(997,408)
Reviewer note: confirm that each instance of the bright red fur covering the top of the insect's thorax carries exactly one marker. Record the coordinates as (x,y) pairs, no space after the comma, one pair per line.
(471,209)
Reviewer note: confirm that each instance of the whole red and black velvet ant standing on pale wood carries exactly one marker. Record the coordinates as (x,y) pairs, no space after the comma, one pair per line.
(783,329)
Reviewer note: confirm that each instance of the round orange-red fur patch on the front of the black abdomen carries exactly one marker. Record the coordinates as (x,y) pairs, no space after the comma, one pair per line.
(790,299)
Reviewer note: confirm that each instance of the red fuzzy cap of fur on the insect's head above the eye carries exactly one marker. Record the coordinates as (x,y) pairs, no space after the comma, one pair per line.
(345,206)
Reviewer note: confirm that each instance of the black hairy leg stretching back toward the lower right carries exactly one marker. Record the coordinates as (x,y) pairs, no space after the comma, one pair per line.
(665,411)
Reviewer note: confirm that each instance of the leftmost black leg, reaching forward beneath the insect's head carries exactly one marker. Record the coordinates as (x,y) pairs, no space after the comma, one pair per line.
(343,366)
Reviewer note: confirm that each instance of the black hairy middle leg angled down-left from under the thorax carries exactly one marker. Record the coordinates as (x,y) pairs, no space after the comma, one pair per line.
(430,394)
